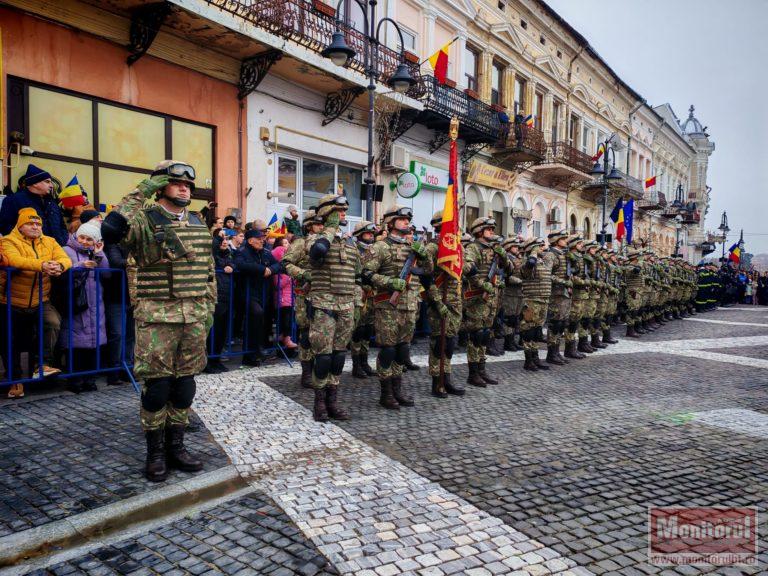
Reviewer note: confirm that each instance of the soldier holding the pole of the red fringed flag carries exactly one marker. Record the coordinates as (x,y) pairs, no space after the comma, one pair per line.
(443,297)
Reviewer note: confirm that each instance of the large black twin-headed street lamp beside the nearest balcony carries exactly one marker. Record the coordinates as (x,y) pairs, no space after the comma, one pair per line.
(340,53)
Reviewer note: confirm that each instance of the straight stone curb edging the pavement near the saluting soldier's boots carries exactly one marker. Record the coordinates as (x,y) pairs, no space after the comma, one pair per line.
(101,522)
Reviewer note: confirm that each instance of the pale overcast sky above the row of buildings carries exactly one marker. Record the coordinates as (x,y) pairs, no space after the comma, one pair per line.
(709,53)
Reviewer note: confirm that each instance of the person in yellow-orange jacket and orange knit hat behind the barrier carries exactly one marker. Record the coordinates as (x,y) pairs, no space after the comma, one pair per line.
(37,258)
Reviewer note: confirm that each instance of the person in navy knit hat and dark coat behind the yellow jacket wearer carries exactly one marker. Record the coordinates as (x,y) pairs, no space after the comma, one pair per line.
(36,194)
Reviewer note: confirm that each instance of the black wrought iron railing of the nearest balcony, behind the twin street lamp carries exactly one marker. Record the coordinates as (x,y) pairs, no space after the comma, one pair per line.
(312,27)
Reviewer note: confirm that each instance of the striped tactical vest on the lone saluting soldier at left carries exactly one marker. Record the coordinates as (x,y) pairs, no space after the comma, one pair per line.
(177,258)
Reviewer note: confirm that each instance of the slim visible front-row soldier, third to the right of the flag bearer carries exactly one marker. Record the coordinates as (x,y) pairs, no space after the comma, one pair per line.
(560,300)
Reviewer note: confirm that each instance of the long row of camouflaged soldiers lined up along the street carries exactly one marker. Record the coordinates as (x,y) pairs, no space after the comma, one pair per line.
(349,290)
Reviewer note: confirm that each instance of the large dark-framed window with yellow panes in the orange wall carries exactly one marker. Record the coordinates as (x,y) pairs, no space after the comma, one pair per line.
(109,146)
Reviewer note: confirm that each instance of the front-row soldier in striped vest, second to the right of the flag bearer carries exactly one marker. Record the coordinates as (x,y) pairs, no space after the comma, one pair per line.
(537,290)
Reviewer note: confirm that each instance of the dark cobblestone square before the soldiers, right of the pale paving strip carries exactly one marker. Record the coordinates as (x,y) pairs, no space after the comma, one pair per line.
(572,458)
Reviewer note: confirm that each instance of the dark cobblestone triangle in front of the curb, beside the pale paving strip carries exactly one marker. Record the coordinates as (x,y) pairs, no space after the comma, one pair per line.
(248,536)
